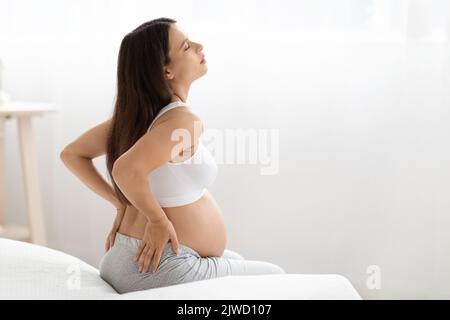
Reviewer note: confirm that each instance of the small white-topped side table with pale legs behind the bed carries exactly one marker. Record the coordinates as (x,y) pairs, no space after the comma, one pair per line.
(23,111)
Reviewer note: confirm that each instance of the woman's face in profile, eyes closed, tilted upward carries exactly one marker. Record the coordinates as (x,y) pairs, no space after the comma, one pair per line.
(185,56)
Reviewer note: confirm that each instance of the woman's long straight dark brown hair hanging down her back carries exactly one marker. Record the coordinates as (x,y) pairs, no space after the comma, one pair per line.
(141,88)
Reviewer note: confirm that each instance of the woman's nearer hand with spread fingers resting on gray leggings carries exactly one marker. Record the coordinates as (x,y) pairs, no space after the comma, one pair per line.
(156,235)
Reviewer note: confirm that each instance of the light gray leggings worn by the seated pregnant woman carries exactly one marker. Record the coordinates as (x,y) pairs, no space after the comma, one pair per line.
(121,272)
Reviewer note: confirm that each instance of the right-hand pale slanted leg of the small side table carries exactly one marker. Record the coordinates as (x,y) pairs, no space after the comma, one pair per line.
(31,181)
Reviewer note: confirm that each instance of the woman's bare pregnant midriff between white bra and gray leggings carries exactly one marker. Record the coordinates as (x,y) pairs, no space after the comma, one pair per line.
(199,225)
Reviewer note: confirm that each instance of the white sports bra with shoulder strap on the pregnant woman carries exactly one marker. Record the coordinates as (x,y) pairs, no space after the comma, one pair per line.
(179,183)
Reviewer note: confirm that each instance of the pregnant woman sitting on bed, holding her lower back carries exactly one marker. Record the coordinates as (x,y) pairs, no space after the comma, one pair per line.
(168,228)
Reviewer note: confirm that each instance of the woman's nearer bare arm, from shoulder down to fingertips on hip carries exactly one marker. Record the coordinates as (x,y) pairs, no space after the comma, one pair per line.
(131,170)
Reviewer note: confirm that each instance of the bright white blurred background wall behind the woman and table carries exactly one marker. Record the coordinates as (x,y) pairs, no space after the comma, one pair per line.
(358,90)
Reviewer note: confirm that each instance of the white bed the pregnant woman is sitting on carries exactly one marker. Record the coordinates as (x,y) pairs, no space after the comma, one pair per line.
(29,271)
